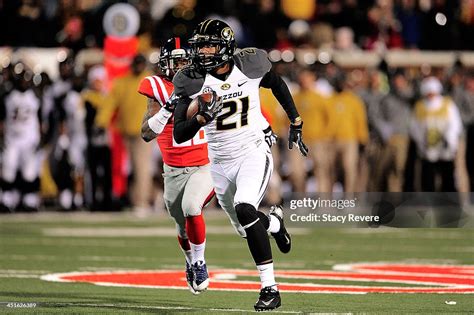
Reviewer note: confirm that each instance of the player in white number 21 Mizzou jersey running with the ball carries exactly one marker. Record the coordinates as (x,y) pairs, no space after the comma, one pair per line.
(241,160)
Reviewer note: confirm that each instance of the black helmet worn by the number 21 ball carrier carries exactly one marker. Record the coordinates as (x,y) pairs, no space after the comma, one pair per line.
(212,33)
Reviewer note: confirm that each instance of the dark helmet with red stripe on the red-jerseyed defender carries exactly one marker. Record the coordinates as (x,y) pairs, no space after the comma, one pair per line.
(174,55)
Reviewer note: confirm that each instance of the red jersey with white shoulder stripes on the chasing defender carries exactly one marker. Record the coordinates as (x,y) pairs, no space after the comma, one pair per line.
(190,153)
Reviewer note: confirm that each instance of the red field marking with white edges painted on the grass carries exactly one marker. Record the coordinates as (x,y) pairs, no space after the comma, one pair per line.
(428,278)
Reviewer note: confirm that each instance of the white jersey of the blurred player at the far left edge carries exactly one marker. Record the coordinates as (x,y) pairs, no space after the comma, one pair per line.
(22,120)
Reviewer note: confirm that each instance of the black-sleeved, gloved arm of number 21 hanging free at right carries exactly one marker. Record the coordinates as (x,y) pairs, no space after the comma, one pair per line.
(279,88)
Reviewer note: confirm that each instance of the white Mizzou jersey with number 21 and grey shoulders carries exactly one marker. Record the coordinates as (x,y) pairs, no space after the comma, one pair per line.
(239,127)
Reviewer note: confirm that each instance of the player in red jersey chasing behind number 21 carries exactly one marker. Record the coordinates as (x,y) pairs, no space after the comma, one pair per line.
(187,181)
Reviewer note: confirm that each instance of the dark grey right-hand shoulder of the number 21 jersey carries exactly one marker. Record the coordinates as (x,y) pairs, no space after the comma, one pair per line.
(253,62)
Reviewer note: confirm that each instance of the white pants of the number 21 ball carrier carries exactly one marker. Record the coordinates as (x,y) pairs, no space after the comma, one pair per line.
(242,180)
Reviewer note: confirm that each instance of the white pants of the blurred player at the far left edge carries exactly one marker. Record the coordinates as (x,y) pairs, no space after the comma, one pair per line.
(21,156)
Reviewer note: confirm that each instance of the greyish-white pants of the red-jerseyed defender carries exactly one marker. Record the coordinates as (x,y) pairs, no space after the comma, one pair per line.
(187,190)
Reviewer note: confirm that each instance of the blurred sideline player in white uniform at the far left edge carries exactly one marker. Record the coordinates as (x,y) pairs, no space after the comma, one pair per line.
(22,137)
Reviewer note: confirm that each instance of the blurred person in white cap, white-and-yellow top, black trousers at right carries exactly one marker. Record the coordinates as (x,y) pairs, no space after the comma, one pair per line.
(436,127)
